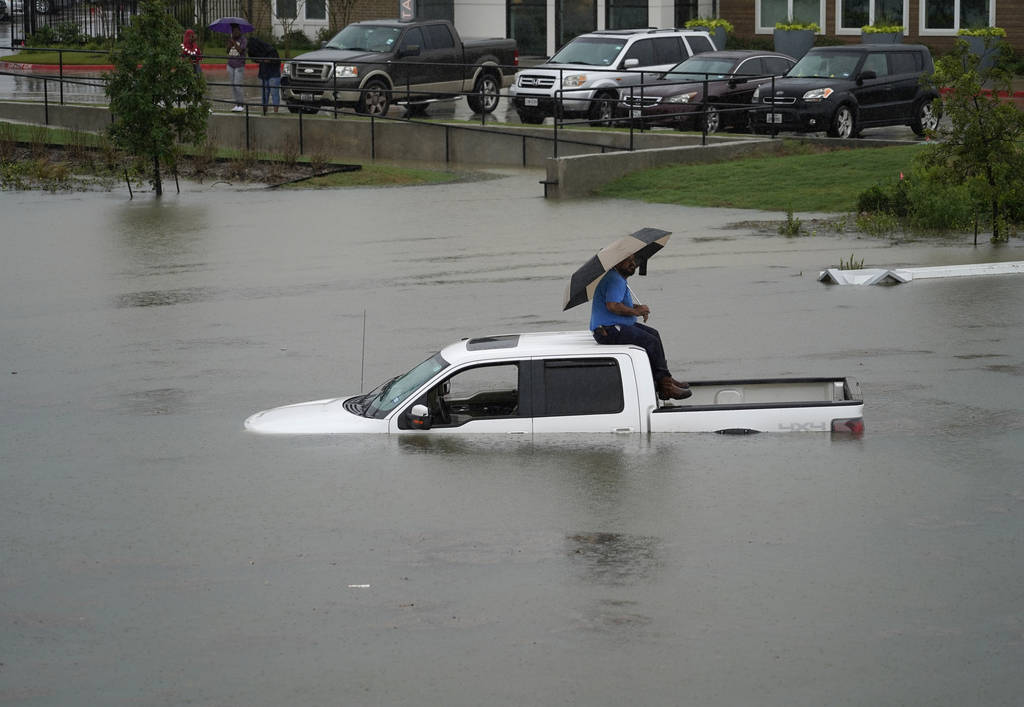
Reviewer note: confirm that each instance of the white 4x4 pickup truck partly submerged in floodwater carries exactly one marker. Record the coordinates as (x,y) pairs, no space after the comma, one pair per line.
(566,383)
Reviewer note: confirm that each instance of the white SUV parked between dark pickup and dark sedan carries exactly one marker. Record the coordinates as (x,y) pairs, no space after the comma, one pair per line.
(583,79)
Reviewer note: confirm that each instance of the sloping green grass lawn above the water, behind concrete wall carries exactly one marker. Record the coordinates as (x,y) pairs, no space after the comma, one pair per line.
(805,180)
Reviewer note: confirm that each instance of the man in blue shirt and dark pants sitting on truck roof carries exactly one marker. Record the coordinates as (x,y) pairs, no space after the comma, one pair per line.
(614,320)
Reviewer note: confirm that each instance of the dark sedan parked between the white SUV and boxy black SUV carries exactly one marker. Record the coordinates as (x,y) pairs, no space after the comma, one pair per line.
(677,98)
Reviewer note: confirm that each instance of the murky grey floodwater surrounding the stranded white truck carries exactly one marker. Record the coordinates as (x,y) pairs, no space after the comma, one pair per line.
(152,553)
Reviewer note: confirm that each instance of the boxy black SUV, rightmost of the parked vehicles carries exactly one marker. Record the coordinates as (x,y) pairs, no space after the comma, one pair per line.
(843,90)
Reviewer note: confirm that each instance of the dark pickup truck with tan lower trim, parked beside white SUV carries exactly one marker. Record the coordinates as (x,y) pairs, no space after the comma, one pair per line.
(370,65)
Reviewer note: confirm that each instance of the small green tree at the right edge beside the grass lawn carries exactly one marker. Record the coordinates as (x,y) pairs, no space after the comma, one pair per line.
(980,147)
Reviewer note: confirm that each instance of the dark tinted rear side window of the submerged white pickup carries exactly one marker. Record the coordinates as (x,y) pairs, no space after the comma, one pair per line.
(584,387)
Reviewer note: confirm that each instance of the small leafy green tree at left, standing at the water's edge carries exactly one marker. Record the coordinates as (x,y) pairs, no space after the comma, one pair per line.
(157,99)
